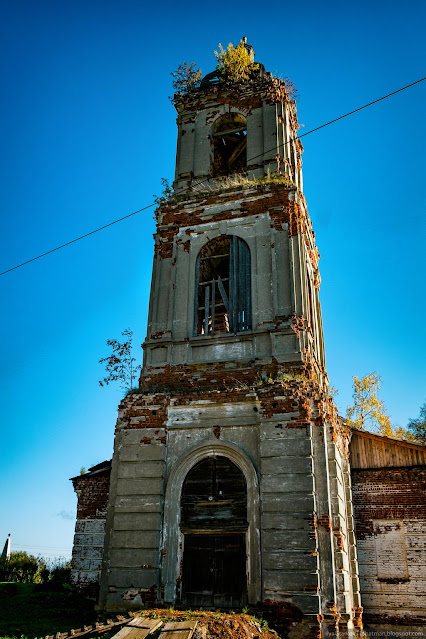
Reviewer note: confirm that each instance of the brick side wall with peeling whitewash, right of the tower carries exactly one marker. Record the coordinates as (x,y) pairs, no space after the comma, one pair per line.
(390,517)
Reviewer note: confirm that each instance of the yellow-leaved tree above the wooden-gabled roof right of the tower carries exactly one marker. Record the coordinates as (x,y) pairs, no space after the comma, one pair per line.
(368,411)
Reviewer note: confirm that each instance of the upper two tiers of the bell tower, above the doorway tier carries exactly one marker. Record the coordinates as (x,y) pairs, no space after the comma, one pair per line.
(236,266)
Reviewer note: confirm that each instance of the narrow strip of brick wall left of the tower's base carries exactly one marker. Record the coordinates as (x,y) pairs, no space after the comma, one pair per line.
(92,489)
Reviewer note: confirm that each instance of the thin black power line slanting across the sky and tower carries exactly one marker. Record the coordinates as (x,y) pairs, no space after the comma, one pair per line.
(125,217)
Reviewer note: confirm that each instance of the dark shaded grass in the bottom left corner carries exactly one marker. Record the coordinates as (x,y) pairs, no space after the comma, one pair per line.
(26,610)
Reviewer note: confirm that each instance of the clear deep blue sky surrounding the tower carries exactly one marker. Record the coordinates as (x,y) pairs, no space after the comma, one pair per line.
(87,133)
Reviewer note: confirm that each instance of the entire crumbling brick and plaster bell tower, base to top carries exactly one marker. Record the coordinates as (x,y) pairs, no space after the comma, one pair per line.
(230,479)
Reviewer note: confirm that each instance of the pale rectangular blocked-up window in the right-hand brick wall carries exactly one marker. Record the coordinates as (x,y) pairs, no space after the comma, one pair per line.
(391,552)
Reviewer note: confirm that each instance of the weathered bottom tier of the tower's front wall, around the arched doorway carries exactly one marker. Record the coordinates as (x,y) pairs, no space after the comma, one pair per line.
(199,405)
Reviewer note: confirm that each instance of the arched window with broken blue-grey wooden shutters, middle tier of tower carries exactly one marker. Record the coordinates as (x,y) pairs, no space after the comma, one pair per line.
(223,287)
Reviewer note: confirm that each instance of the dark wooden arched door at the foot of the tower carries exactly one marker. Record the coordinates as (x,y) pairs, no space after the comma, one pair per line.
(214,525)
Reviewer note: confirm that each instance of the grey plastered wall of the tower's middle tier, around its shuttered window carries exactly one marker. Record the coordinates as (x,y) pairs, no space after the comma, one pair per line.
(279,266)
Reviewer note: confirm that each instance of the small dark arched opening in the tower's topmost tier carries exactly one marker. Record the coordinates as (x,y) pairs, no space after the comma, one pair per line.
(229,144)
